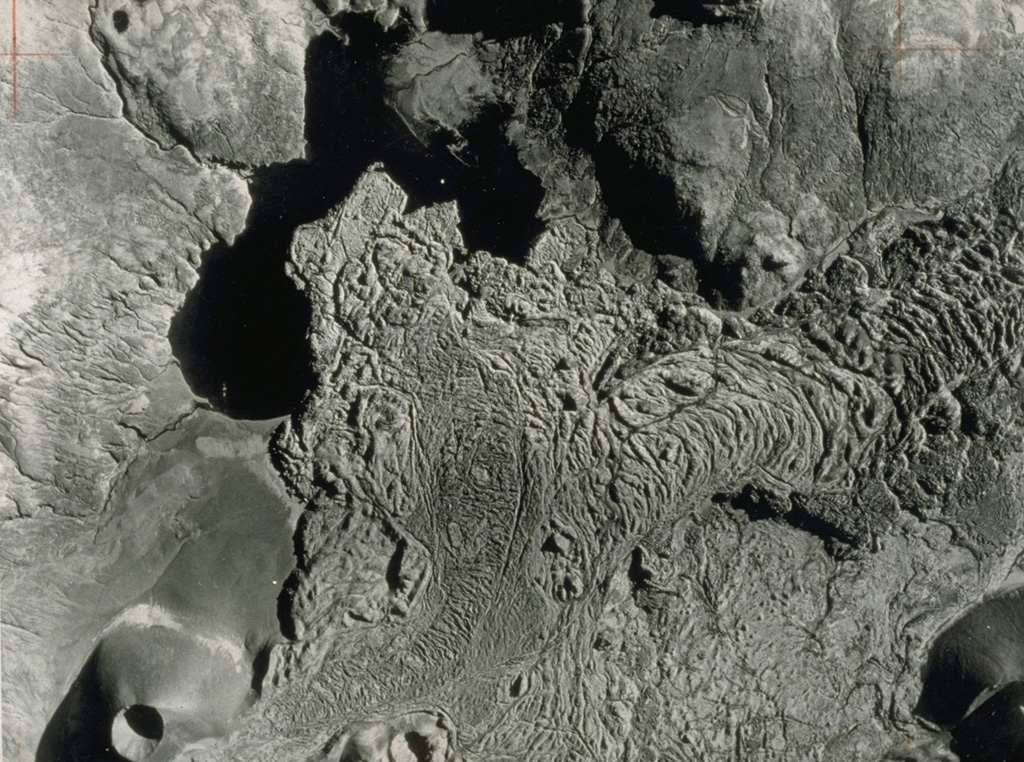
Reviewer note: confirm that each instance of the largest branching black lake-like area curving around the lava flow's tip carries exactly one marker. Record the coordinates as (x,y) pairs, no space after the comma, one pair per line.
(241,336)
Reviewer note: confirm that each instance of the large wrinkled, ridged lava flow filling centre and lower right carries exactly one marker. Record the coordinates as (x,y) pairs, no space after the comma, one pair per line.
(563,447)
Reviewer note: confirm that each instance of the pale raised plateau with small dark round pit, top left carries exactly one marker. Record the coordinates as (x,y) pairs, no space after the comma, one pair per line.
(226,80)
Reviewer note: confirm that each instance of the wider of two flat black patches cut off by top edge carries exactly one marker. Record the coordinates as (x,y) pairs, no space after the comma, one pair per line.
(501,20)
